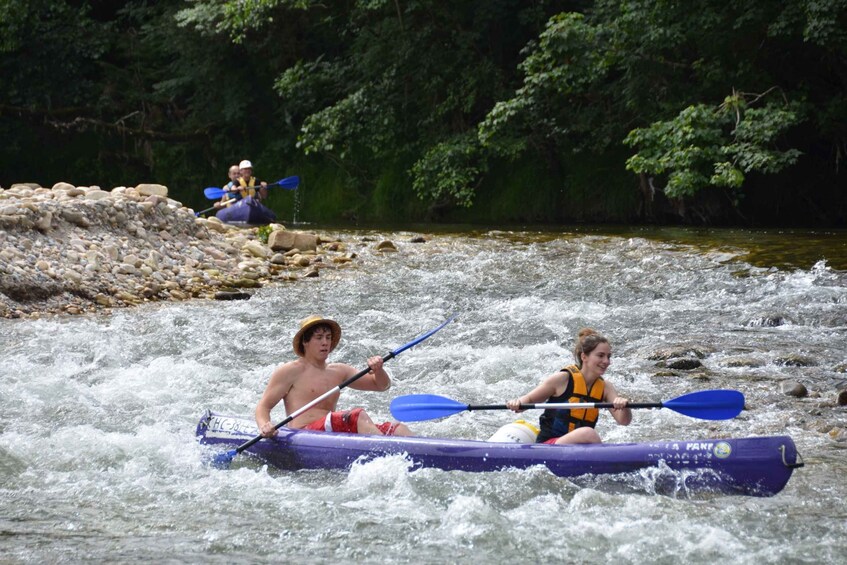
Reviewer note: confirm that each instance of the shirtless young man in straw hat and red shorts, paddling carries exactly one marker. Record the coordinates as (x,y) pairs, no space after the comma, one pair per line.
(301,381)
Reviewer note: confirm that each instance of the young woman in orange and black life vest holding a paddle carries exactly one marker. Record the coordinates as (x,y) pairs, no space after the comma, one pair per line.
(582,382)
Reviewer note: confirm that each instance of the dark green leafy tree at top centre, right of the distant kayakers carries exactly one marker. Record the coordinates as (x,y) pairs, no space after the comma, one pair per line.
(399,83)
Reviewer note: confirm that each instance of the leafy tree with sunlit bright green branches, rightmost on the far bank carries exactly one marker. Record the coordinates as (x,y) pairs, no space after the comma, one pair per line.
(597,79)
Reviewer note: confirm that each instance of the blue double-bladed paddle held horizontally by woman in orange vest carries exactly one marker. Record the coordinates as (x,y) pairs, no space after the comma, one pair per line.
(705,404)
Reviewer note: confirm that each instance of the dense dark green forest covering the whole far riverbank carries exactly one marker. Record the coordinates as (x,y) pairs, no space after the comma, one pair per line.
(486,112)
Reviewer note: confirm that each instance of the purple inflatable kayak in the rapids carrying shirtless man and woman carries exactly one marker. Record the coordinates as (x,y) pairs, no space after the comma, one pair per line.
(756,466)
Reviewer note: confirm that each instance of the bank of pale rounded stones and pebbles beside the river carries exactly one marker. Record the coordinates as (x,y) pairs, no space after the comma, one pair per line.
(73,250)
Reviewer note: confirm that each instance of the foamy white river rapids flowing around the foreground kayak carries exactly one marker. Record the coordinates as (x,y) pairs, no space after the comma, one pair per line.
(98,460)
